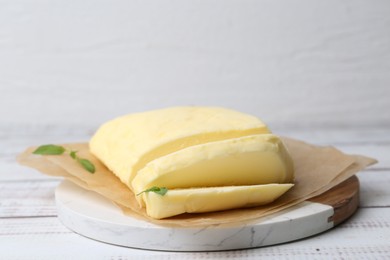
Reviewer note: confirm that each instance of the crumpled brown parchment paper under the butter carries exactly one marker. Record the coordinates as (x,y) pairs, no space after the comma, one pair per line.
(317,169)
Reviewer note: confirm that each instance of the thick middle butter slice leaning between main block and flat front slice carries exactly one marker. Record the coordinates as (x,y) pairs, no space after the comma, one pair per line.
(248,160)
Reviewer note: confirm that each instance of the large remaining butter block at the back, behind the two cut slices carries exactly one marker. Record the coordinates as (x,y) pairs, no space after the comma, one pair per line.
(126,144)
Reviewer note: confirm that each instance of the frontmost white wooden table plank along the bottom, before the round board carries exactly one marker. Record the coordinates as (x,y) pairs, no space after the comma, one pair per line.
(362,236)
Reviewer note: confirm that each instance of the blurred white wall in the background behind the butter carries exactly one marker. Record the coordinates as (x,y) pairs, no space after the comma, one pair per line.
(292,63)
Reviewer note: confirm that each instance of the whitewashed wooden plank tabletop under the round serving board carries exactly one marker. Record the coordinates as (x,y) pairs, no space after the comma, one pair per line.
(30,227)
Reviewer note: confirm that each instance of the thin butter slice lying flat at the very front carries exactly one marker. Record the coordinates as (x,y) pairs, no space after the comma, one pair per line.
(198,200)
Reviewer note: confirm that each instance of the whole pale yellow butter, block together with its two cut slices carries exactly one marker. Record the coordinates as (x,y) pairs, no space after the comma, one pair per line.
(209,158)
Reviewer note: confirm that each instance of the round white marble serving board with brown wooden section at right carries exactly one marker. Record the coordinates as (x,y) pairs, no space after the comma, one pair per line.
(91,215)
